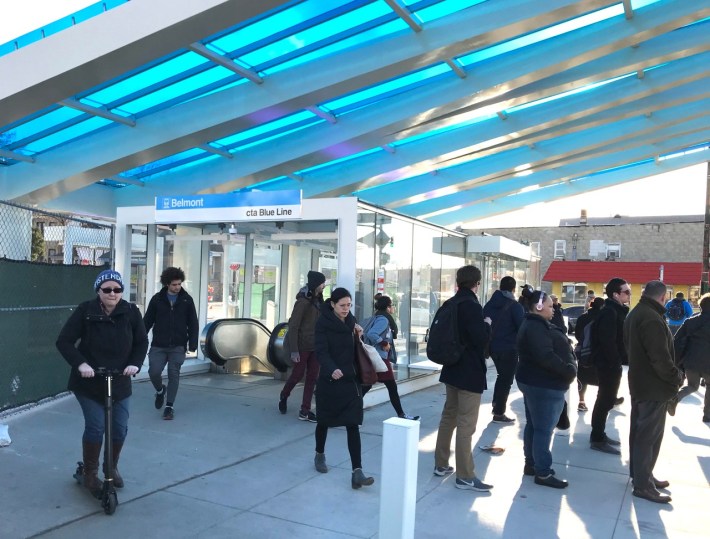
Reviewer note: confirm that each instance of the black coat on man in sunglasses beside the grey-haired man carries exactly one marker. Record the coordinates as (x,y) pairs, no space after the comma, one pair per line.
(608,349)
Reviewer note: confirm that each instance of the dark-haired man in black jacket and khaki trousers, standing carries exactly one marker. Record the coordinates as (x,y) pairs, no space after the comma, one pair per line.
(465,381)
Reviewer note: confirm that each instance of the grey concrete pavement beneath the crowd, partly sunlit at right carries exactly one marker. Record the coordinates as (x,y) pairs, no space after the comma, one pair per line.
(231,466)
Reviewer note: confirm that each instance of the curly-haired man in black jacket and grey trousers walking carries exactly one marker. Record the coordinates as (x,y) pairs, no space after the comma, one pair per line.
(172,316)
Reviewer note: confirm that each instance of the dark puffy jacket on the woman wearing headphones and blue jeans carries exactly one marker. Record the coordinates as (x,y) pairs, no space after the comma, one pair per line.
(546,356)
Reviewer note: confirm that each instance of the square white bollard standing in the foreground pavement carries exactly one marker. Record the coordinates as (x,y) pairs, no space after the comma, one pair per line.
(398,487)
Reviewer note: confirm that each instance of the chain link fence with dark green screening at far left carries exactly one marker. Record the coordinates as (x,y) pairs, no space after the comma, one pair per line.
(48,263)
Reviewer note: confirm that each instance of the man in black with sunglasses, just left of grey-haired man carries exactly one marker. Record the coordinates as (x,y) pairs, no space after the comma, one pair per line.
(608,355)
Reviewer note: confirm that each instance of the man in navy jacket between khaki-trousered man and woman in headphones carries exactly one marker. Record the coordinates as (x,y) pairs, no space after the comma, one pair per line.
(507,315)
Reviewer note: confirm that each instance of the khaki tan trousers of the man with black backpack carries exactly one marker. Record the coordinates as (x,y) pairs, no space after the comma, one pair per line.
(460,413)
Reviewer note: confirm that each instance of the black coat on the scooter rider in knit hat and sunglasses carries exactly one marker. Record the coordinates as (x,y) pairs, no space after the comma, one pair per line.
(113,341)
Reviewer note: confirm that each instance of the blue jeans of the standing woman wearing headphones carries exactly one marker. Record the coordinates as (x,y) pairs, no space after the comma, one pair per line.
(543,407)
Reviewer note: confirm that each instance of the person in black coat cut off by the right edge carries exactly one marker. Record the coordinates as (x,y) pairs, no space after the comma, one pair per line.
(692,346)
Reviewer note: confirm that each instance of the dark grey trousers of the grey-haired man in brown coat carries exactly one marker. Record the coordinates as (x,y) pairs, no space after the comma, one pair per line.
(648,421)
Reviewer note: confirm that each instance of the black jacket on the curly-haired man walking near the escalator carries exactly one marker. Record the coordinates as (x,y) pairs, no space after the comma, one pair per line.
(173,325)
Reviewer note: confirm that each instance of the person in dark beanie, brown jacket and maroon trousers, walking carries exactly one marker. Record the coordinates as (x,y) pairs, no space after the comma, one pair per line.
(301,340)
